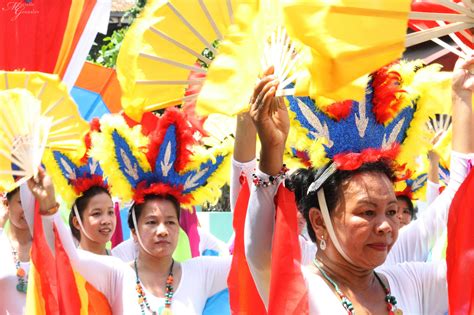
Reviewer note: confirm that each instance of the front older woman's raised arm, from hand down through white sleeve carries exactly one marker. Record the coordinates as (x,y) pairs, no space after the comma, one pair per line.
(272,123)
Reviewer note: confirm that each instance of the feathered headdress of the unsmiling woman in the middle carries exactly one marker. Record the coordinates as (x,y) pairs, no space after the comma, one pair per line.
(166,161)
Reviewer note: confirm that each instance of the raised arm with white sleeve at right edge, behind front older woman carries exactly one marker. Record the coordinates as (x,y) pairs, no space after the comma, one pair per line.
(416,239)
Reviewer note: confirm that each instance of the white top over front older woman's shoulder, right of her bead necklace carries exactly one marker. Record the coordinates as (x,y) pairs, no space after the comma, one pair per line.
(420,288)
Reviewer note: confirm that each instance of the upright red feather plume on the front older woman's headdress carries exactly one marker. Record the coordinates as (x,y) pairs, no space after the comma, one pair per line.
(387,95)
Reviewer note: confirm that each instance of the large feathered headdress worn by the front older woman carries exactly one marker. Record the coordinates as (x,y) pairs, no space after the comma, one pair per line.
(388,123)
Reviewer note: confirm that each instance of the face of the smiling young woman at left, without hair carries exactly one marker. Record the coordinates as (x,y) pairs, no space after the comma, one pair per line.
(99,219)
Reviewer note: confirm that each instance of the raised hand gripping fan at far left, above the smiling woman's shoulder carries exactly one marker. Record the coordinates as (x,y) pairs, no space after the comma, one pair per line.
(43,189)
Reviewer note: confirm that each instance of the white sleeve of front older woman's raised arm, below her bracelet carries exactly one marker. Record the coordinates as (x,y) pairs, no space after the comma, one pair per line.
(258,235)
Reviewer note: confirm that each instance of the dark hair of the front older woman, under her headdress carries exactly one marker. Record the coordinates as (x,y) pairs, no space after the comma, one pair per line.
(332,187)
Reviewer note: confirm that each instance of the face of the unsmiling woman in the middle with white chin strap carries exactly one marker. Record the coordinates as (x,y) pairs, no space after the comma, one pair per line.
(158,226)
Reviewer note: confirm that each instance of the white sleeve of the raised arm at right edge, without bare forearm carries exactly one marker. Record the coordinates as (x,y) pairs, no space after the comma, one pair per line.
(416,239)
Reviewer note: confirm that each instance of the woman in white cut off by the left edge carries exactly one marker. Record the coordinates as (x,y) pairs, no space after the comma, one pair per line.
(15,245)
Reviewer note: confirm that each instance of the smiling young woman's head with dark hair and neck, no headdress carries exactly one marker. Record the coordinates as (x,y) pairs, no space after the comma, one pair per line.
(92,220)
